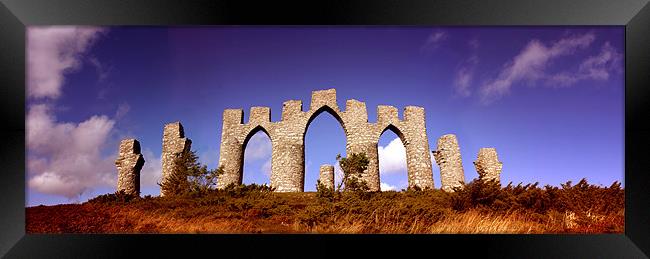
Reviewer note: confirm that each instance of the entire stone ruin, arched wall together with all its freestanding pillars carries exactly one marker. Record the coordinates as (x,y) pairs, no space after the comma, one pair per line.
(288,146)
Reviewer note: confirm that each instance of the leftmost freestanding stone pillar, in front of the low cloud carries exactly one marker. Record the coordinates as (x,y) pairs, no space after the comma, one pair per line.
(128,163)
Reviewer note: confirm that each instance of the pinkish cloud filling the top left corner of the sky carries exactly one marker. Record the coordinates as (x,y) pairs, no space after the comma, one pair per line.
(52,52)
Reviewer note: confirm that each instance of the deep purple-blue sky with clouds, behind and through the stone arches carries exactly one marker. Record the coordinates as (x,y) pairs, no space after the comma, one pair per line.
(549,99)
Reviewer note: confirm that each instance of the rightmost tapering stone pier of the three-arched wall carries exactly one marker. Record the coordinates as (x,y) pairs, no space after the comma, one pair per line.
(418,156)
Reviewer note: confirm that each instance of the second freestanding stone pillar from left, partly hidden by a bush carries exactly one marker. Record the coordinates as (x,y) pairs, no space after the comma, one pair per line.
(174,144)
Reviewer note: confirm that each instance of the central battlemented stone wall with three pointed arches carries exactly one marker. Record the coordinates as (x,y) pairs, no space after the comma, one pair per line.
(288,139)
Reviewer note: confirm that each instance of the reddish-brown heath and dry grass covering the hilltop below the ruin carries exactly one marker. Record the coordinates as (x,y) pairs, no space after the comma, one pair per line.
(477,208)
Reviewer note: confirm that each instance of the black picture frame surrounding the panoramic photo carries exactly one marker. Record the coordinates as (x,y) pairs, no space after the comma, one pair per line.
(633,14)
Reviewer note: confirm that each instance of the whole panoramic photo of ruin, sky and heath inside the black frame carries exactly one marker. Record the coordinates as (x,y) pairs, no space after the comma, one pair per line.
(342,129)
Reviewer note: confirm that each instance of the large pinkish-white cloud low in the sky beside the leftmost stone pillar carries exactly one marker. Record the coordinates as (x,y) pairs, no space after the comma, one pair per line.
(65,158)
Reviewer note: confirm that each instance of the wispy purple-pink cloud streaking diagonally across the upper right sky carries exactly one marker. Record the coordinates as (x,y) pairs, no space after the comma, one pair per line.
(529,66)
